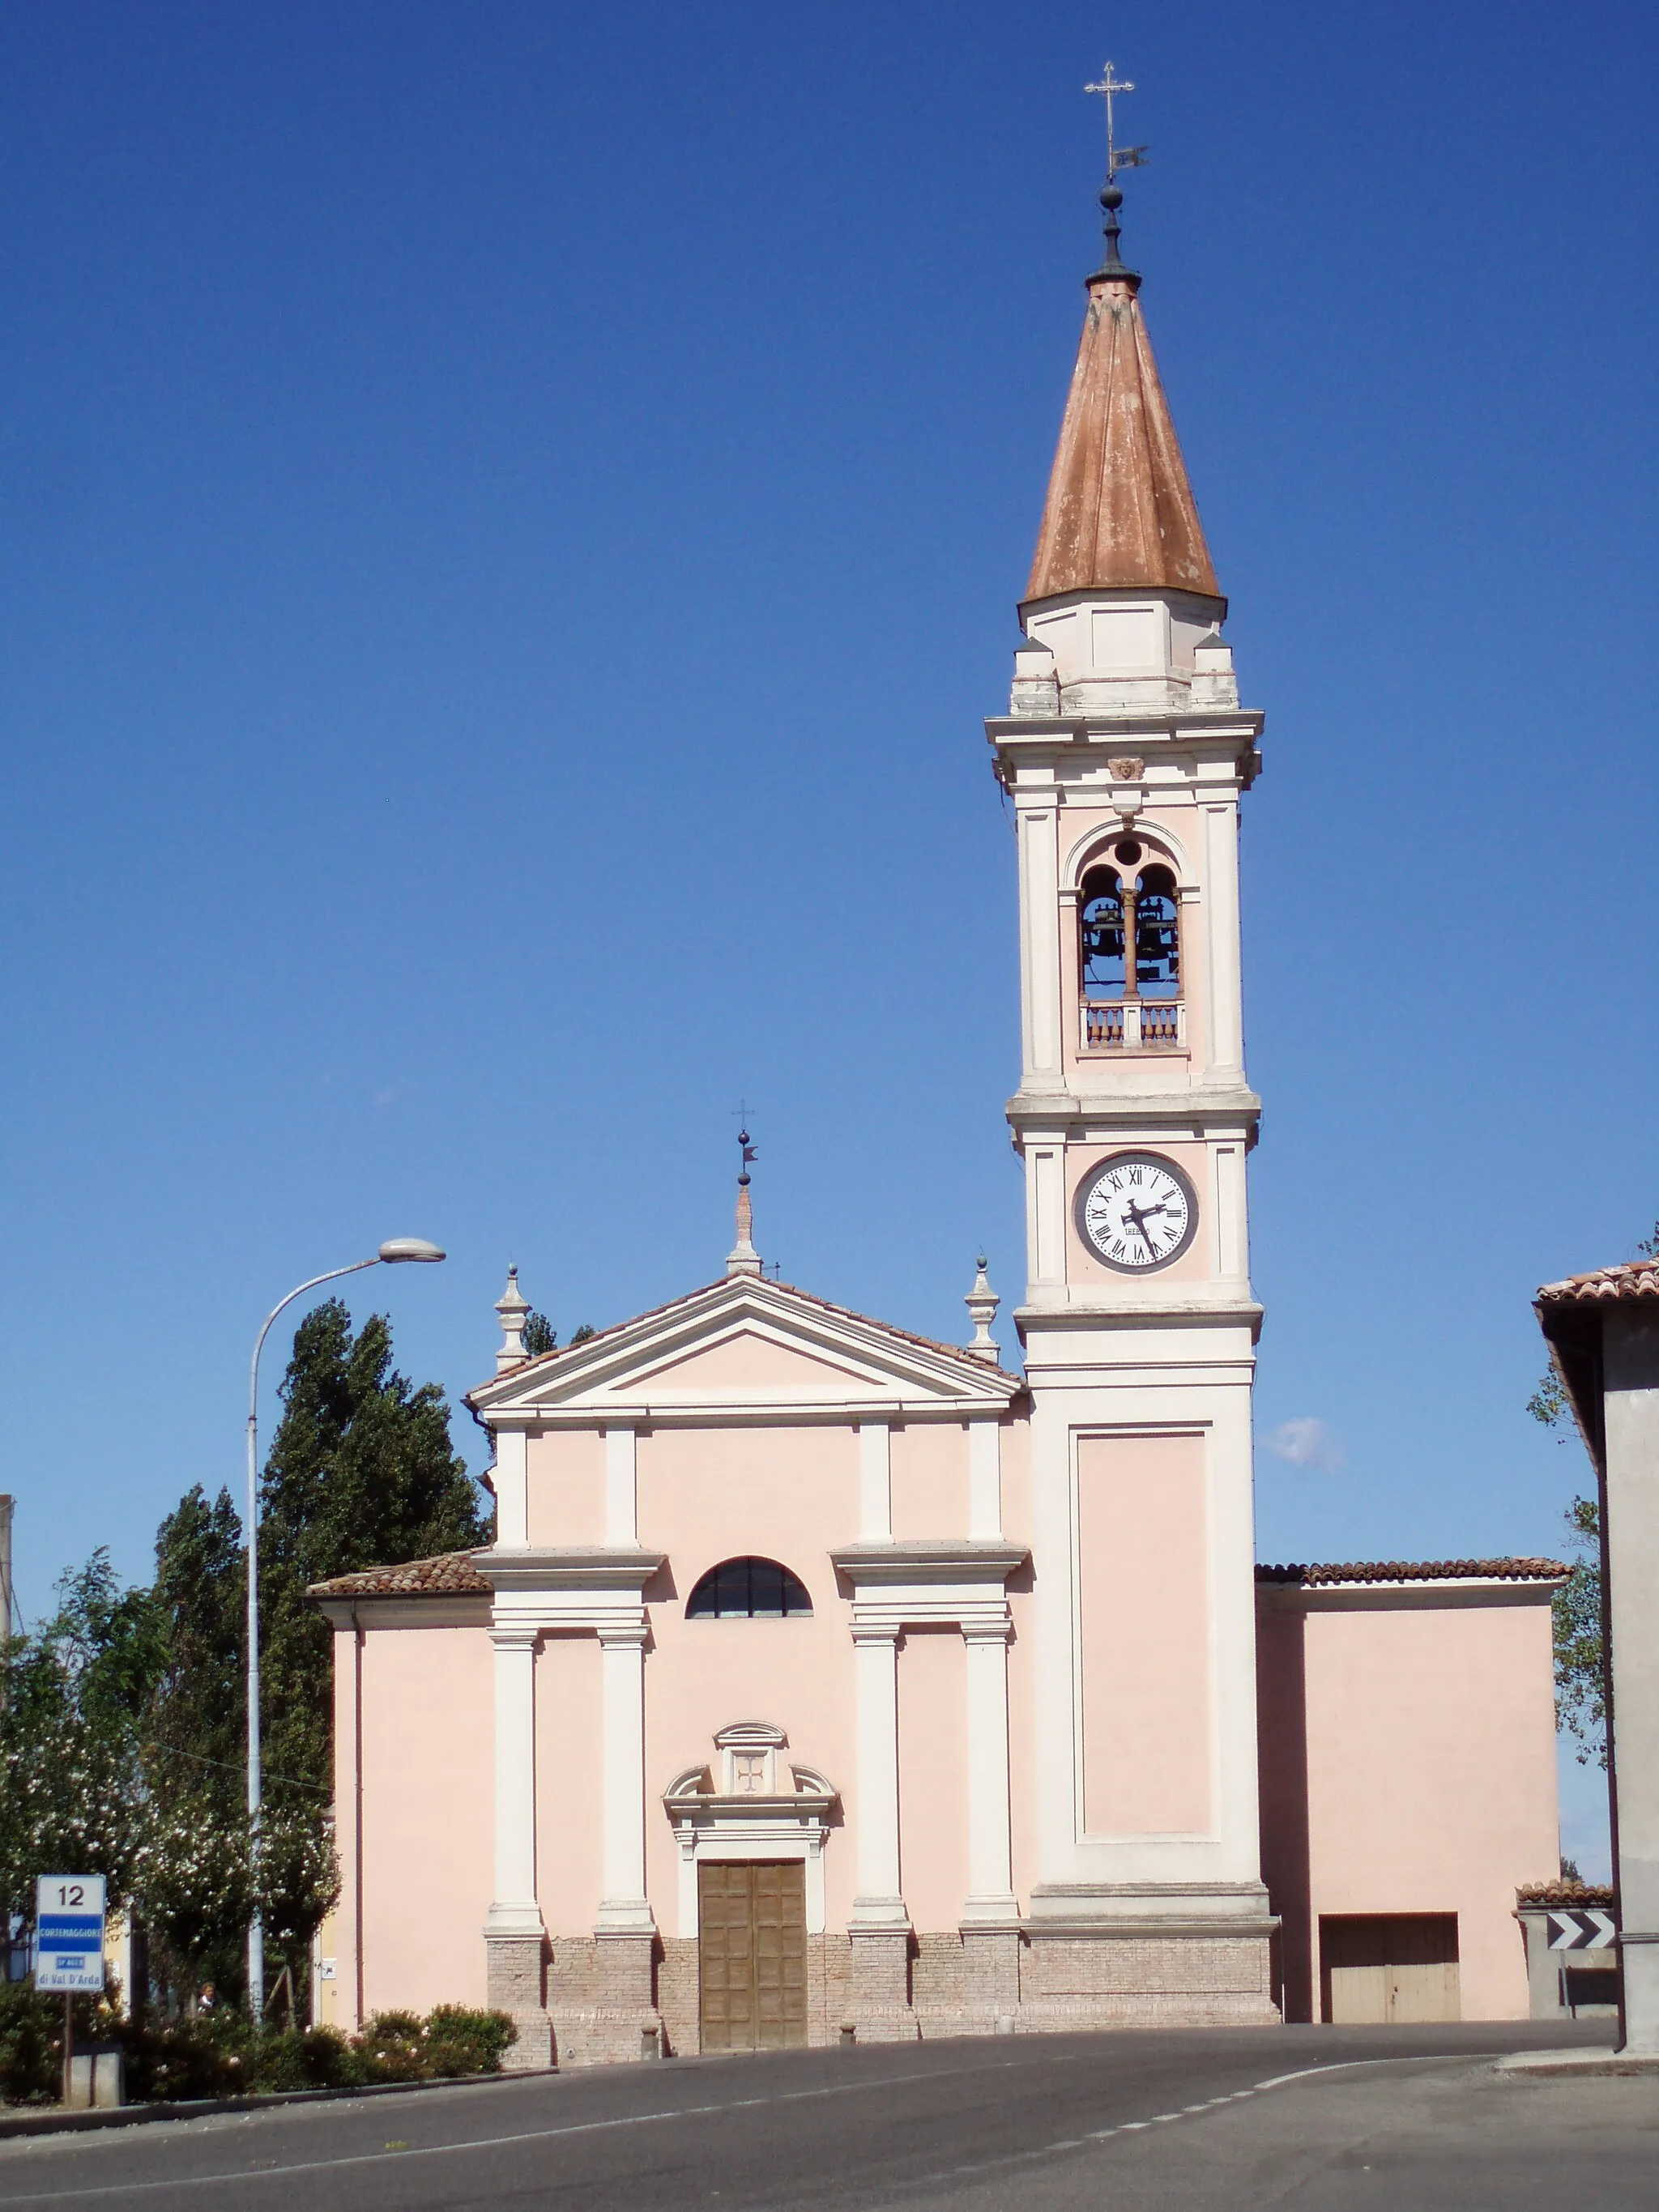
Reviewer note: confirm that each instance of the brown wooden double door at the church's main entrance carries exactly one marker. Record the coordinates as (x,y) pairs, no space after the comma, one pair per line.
(753,1954)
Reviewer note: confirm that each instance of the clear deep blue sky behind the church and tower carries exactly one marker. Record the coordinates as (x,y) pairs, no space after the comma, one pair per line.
(510,523)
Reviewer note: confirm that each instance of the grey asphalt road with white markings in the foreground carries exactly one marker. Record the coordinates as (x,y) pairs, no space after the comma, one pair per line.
(1322,2118)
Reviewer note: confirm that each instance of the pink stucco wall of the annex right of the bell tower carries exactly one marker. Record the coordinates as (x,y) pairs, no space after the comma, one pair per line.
(1408,1766)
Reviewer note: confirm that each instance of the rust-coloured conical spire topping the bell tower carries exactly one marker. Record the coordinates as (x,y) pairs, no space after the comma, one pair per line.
(1120,510)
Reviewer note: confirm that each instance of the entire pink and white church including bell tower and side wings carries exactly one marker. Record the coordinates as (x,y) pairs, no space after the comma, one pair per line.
(831,1682)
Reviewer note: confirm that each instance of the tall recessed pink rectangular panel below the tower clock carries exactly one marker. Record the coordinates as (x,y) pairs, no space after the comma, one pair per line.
(1145,1569)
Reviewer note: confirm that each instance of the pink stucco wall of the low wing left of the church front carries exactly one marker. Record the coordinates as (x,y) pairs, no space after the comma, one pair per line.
(426,1815)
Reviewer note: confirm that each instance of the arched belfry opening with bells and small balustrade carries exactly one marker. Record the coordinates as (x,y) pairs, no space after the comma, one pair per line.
(1129,950)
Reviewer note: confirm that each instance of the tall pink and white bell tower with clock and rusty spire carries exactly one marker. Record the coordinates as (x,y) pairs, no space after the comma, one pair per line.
(1125,755)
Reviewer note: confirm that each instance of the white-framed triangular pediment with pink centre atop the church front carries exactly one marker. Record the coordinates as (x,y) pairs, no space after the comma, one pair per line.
(747,1346)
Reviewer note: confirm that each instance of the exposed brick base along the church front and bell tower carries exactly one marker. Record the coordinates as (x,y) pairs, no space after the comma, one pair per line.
(620,1999)
